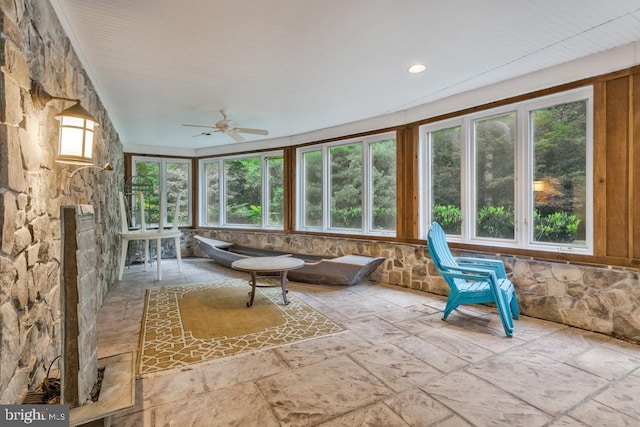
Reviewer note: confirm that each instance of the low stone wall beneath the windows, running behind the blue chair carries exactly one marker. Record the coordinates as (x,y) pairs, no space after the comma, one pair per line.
(600,299)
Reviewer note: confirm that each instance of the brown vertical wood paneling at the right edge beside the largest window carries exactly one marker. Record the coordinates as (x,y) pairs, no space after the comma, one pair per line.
(616,169)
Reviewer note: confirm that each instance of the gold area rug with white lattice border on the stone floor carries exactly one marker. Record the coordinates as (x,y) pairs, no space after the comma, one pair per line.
(183,325)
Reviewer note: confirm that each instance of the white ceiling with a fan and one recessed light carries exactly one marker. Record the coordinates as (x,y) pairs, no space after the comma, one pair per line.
(295,66)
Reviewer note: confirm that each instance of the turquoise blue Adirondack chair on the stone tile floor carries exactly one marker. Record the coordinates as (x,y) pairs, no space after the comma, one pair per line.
(473,280)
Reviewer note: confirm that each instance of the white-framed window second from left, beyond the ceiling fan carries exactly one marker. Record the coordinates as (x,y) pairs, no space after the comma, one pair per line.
(245,191)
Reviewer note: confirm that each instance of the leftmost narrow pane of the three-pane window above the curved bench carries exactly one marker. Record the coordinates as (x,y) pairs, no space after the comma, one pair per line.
(312,163)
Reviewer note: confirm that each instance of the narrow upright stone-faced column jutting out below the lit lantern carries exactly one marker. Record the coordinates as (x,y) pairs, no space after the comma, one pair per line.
(79,304)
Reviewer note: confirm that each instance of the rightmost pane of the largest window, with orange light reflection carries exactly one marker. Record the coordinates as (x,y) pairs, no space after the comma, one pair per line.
(560,156)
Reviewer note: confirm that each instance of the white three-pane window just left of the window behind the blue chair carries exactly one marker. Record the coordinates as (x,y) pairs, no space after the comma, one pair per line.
(349,186)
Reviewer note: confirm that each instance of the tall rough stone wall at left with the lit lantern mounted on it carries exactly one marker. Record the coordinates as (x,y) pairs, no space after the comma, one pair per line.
(33,46)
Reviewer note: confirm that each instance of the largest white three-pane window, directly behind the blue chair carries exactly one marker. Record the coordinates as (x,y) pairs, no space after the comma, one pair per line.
(516,176)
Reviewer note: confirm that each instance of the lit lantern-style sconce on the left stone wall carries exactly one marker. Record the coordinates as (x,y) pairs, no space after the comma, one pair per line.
(75,143)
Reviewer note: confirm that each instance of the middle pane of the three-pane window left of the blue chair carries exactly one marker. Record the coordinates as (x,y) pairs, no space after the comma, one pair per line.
(346,186)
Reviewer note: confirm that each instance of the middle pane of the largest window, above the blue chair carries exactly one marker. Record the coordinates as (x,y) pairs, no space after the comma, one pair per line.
(495,146)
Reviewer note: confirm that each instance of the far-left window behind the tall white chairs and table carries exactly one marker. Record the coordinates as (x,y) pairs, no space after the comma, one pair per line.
(168,177)
